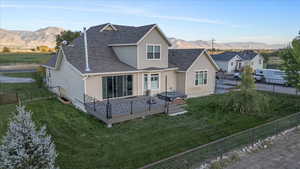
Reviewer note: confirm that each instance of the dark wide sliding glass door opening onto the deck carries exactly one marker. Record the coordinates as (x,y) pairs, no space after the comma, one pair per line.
(117,86)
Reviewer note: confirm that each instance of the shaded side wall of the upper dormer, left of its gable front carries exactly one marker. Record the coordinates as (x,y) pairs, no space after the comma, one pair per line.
(127,54)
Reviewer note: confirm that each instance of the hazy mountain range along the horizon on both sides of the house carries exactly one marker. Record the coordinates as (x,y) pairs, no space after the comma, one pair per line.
(46,36)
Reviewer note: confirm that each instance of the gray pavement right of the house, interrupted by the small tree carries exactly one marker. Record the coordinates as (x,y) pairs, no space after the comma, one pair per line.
(223,86)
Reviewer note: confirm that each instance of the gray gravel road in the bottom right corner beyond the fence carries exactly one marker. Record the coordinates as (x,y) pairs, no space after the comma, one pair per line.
(283,154)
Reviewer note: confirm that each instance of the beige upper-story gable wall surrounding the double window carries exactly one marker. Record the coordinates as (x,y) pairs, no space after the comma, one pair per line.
(154,38)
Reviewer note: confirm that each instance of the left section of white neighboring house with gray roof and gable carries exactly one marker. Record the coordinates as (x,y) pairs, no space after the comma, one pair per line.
(228,61)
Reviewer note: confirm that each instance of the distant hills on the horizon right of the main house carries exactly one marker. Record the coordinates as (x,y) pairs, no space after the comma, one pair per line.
(179,43)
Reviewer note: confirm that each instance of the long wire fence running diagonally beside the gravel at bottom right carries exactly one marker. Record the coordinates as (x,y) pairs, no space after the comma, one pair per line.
(193,158)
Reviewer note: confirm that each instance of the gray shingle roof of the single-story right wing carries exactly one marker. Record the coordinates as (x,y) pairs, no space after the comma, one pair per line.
(183,58)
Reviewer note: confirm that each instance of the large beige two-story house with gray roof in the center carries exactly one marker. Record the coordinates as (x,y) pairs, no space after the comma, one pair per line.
(114,61)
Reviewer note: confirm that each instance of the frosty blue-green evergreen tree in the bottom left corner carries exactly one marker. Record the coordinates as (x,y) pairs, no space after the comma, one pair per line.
(25,147)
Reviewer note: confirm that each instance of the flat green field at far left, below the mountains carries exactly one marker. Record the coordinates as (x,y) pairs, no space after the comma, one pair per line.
(13,58)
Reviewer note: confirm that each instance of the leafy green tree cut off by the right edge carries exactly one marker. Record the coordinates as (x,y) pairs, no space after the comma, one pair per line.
(291,64)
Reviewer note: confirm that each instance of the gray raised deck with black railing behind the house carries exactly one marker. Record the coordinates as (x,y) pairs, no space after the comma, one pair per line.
(118,110)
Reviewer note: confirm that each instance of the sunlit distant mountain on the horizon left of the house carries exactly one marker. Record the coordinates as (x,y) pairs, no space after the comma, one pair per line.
(29,39)
